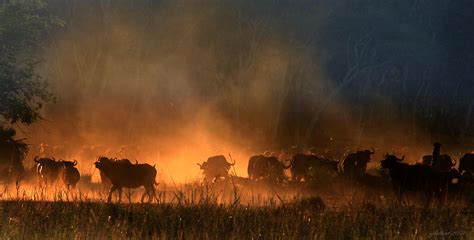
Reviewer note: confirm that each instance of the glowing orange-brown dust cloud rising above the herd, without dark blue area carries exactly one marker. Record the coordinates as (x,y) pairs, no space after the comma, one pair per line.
(172,84)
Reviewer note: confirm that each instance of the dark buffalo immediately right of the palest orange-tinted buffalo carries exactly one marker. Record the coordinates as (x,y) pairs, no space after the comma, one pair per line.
(266,167)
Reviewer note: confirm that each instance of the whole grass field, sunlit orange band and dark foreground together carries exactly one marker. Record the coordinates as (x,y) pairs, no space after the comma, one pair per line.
(193,211)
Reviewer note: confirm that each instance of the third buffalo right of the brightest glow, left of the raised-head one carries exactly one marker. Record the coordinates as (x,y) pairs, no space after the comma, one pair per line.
(307,166)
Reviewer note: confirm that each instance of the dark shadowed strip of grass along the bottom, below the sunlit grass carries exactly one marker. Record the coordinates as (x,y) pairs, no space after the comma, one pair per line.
(301,220)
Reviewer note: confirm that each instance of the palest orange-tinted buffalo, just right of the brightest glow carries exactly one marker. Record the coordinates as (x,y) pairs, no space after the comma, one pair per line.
(215,168)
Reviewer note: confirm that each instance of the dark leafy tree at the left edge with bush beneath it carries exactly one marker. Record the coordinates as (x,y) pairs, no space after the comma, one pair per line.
(23,25)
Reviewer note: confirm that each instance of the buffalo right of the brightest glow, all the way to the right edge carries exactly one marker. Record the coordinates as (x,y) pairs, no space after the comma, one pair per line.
(435,178)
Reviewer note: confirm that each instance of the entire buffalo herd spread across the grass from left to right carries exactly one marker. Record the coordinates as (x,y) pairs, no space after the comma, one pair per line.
(435,177)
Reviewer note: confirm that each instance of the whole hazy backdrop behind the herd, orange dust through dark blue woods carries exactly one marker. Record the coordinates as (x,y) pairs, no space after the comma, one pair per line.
(183,80)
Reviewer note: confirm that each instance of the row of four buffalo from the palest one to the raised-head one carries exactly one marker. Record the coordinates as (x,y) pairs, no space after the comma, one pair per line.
(303,167)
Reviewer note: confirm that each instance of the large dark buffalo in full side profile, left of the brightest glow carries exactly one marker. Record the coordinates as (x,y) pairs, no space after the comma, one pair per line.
(124,175)
